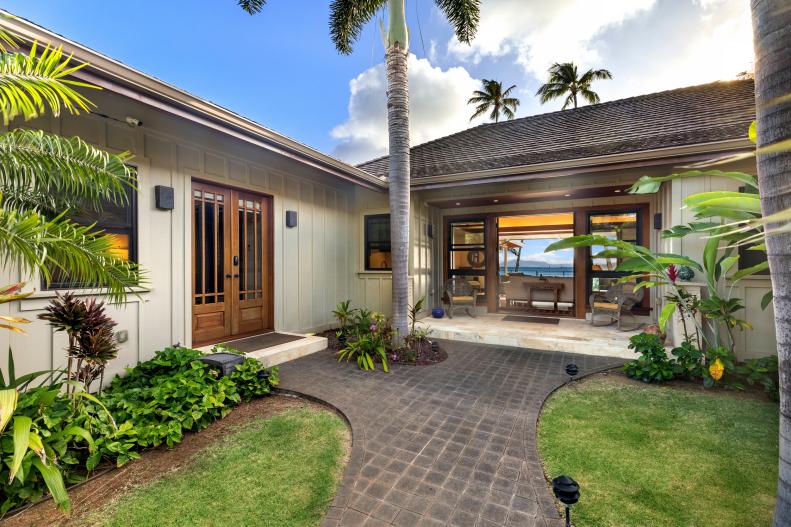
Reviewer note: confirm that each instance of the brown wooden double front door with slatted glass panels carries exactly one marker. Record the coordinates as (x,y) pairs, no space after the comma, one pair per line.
(231,263)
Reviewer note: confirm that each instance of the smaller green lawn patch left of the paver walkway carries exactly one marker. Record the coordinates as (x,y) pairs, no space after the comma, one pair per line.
(278,472)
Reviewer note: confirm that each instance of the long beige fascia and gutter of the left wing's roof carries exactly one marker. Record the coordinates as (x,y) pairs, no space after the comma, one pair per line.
(117,77)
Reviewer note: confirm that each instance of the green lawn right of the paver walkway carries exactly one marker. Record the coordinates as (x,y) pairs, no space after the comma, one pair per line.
(647,455)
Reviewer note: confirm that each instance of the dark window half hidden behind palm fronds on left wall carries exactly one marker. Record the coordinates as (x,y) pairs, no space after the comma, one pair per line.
(117,220)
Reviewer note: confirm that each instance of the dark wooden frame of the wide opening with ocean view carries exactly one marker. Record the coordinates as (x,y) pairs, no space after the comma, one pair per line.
(580,253)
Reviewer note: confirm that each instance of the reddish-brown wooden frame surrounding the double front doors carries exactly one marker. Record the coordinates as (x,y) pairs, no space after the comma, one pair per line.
(268,276)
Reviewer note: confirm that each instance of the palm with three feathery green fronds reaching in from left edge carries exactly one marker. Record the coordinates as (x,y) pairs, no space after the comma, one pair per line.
(43,175)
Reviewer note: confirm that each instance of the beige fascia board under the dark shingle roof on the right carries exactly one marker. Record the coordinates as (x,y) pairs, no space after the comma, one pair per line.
(643,158)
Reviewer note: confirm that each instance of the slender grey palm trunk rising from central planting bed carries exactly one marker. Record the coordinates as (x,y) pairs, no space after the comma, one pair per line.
(398,170)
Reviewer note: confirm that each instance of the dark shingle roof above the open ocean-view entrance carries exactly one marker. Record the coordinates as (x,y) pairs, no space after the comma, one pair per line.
(686,116)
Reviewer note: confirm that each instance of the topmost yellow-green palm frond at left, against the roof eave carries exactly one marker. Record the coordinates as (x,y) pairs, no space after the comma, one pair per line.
(31,83)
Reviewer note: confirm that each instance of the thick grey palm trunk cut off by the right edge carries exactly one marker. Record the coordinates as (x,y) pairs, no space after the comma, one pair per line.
(772,39)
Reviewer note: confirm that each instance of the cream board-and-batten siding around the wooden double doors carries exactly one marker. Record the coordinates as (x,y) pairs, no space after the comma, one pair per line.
(313,262)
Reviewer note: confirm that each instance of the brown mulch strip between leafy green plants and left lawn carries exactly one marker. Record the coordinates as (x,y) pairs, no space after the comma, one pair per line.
(94,493)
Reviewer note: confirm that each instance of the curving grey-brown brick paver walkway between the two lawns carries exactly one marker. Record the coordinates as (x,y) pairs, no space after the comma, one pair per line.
(448,444)
